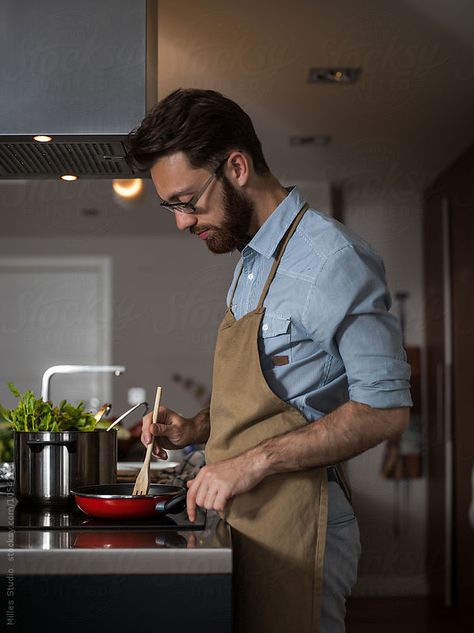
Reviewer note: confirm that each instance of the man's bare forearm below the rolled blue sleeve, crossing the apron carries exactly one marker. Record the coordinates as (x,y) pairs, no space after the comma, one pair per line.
(347,431)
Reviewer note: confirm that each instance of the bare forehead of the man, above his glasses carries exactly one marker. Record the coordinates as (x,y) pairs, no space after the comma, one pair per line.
(173,175)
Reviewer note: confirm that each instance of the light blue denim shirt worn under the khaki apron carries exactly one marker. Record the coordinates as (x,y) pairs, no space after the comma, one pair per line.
(327,335)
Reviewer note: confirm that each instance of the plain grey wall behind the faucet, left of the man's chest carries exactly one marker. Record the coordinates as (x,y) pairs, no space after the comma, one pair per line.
(168,298)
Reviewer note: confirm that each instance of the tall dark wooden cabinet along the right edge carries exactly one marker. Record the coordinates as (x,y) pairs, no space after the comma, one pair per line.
(448,233)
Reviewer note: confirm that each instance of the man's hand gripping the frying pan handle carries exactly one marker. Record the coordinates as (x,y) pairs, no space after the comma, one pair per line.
(216,484)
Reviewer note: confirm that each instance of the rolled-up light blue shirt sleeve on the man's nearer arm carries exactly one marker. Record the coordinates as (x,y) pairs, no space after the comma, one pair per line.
(347,314)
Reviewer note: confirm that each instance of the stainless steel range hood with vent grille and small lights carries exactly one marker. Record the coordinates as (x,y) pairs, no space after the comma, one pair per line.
(83,72)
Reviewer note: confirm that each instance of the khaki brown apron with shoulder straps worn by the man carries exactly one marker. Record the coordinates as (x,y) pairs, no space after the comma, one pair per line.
(279,527)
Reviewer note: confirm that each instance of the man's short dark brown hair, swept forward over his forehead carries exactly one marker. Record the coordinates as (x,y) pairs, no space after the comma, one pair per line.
(203,124)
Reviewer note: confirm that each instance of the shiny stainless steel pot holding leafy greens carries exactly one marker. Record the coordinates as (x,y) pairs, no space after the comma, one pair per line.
(49,464)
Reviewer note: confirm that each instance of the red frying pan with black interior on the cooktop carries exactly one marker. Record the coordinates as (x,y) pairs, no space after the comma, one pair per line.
(115,501)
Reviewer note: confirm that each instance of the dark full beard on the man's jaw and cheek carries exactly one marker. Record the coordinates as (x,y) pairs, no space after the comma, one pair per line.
(234,230)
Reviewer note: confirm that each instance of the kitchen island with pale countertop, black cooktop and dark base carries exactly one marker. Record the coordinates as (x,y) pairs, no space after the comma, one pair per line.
(72,576)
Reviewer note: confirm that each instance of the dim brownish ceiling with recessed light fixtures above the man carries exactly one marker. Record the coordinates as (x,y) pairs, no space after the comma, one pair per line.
(409,115)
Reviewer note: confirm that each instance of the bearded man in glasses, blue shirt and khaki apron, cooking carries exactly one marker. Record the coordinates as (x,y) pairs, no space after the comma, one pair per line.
(309,368)
